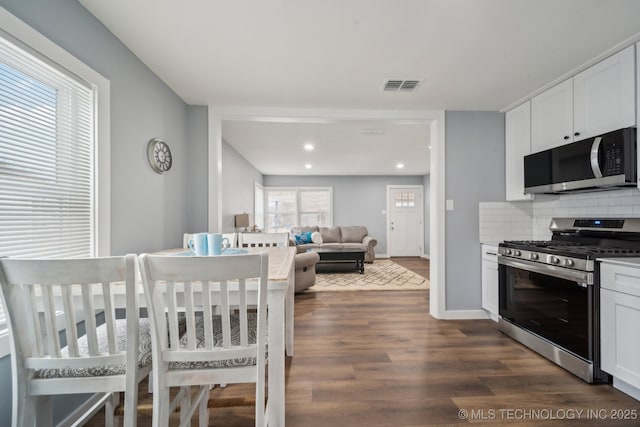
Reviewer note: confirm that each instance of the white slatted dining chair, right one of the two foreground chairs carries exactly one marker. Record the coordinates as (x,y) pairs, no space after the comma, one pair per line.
(224,342)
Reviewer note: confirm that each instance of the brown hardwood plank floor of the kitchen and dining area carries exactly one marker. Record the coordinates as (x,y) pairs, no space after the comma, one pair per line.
(379,359)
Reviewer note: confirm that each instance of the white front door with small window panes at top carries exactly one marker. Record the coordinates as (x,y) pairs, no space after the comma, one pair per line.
(405,220)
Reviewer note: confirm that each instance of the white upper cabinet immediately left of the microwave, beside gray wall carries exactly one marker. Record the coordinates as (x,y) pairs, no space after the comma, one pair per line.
(517,145)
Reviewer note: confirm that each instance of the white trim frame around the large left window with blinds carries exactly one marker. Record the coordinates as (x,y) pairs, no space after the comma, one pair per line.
(33,42)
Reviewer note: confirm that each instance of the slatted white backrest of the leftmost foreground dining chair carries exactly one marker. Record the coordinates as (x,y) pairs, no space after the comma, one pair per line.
(44,296)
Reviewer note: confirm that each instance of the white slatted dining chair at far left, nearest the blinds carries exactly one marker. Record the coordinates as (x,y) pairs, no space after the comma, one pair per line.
(95,352)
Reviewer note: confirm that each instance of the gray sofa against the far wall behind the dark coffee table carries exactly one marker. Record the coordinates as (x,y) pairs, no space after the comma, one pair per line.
(355,236)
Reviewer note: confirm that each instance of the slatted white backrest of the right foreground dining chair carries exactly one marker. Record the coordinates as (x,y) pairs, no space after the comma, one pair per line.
(205,291)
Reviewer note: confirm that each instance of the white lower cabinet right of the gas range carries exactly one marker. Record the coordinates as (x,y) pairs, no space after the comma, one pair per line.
(619,321)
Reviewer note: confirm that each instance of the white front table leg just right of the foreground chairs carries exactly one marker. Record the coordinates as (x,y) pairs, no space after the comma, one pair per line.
(277,304)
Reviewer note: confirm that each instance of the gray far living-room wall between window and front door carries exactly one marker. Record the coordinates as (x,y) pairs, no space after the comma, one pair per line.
(357,200)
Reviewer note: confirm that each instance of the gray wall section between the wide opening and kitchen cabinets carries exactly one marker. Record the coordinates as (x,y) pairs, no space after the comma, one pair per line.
(474,150)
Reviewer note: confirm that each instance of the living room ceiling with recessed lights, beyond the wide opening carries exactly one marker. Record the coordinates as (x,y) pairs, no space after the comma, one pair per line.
(279,147)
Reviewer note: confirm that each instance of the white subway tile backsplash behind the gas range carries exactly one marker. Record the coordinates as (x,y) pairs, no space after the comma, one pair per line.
(530,220)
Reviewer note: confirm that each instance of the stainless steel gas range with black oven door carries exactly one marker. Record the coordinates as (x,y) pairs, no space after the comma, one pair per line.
(550,290)
